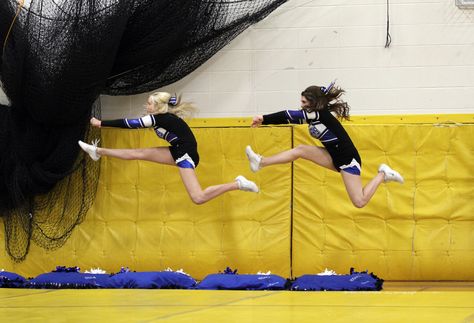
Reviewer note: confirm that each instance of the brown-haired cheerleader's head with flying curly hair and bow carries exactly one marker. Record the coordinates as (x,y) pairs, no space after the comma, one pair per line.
(319,98)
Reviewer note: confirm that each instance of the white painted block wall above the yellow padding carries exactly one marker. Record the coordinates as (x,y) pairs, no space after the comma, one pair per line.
(428,68)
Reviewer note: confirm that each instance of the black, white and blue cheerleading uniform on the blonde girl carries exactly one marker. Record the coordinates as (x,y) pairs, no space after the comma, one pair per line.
(169,127)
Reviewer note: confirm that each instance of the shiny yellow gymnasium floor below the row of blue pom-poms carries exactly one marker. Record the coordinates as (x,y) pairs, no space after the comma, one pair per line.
(398,302)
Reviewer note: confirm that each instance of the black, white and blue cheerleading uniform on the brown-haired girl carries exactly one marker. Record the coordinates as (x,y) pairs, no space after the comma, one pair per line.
(323,126)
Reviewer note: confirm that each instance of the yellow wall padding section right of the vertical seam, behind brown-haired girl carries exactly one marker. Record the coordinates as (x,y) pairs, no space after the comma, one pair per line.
(422,230)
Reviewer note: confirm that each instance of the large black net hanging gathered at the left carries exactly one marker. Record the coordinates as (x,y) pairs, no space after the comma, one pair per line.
(57,57)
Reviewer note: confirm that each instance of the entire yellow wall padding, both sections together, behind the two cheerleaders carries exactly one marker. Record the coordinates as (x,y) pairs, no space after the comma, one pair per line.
(301,222)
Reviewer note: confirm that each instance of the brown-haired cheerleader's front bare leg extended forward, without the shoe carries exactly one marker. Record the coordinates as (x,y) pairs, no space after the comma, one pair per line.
(315,154)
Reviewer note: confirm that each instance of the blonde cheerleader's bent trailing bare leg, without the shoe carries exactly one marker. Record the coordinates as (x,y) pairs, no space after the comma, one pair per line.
(199,196)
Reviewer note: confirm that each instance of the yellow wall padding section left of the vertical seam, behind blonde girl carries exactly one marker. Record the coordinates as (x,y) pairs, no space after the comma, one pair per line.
(143,219)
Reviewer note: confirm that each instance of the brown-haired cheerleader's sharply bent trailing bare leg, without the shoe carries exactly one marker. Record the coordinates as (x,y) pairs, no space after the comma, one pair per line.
(359,195)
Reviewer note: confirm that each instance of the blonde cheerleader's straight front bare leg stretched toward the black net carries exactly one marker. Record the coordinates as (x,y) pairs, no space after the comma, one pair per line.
(161,155)
